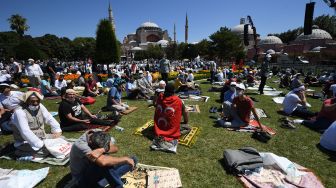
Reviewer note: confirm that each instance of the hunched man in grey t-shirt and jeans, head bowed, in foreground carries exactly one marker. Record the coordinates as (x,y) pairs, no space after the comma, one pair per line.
(92,166)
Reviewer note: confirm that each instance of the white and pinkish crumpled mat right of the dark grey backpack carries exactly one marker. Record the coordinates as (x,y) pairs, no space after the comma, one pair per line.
(280,172)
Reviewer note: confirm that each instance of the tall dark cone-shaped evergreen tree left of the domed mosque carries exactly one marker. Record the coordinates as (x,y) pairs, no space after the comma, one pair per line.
(107,48)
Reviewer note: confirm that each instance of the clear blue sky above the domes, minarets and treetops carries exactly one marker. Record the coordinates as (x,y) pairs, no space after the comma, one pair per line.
(79,18)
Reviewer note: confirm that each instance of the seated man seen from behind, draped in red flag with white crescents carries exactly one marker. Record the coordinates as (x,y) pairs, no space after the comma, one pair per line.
(168,114)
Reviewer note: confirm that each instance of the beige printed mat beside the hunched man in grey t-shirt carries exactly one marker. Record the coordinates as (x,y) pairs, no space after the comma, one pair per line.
(152,177)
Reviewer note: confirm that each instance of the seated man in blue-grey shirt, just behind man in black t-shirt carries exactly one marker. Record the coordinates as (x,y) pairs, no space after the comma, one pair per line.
(114,99)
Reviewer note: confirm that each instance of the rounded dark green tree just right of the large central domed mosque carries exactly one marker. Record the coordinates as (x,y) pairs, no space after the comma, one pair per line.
(225,44)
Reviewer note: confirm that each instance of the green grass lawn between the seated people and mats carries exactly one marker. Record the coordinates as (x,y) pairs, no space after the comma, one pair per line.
(199,165)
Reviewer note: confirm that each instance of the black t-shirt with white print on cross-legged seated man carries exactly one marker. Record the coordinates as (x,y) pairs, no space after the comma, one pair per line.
(67,107)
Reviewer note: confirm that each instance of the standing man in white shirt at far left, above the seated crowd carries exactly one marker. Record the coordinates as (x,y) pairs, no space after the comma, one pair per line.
(34,73)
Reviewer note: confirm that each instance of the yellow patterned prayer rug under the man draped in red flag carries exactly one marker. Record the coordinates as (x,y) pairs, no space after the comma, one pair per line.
(186,140)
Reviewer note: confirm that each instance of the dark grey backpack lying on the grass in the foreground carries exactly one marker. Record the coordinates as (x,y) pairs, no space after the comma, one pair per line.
(246,158)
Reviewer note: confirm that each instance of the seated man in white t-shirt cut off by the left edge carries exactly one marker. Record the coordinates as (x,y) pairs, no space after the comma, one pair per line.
(9,101)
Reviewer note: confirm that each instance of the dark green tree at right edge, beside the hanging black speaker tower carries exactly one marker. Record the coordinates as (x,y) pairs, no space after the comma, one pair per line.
(327,23)
